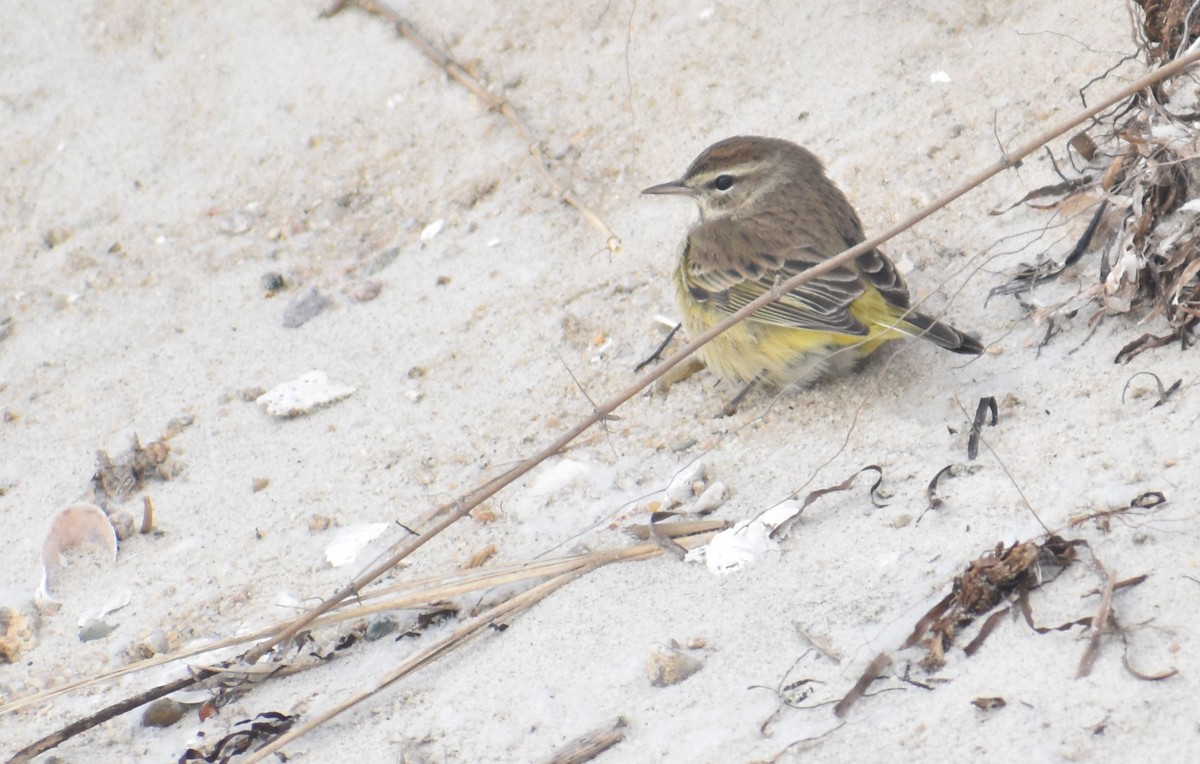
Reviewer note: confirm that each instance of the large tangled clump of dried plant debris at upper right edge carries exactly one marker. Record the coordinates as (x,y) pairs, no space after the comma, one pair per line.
(1141,177)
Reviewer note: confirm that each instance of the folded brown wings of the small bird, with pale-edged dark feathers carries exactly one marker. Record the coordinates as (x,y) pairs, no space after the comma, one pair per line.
(728,267)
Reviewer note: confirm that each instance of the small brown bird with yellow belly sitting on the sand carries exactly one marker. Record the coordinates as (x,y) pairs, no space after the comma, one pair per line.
(767,213)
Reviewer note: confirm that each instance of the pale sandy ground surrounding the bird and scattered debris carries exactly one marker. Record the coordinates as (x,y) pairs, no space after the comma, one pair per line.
(177,155)
